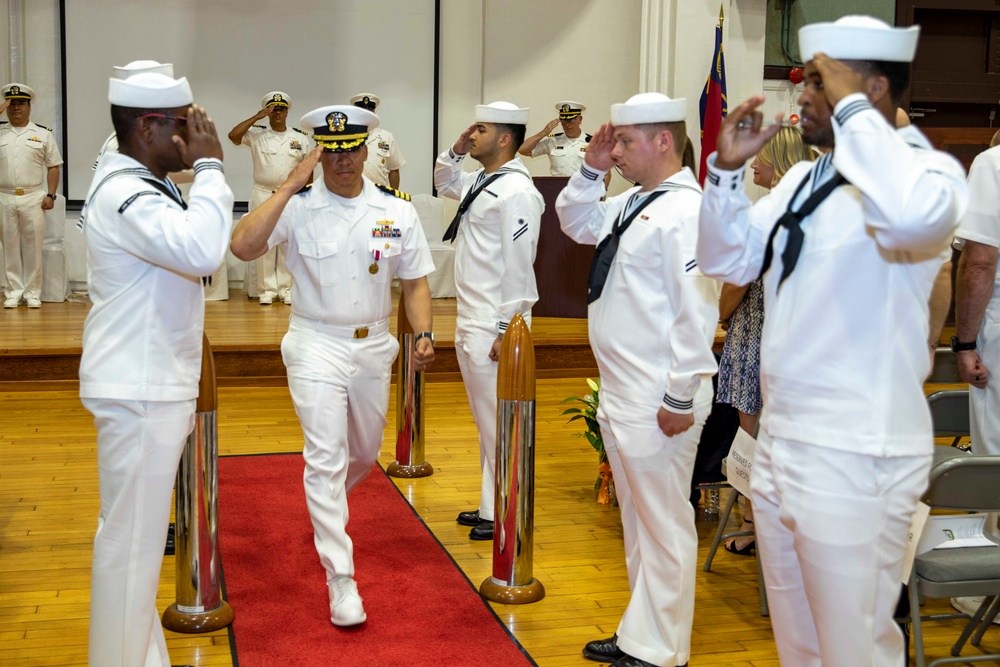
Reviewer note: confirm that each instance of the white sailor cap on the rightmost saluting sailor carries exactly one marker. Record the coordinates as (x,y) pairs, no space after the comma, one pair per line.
(859,38)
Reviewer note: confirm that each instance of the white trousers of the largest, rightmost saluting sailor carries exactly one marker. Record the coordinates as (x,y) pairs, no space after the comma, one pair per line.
(832,529)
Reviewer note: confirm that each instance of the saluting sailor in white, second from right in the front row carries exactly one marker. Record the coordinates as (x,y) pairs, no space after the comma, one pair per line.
(652,319)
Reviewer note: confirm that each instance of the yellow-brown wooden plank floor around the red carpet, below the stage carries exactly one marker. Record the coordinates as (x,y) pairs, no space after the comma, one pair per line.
(49,504)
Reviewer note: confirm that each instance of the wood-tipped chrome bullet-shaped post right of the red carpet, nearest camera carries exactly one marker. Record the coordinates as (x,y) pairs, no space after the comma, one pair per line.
(513,532)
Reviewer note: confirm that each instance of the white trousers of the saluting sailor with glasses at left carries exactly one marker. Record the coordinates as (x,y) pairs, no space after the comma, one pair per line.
(139,444)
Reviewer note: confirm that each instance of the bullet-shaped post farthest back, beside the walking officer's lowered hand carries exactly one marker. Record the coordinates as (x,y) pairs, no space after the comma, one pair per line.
(409,407)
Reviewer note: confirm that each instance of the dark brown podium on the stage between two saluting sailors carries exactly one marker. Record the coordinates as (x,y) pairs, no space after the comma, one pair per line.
(561,264)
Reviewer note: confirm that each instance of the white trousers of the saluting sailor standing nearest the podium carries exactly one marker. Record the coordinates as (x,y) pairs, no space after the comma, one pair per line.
(473,341)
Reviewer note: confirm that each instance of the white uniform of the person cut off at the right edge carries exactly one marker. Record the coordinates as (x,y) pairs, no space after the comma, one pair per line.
(981,224)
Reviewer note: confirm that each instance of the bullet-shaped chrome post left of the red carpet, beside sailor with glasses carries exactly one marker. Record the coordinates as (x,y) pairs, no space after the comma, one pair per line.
(199,606)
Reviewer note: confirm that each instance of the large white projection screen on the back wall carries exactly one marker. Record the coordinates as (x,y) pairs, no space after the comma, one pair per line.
(320,52)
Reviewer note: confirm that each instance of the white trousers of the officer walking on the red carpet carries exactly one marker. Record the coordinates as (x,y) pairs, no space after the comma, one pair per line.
(340,388)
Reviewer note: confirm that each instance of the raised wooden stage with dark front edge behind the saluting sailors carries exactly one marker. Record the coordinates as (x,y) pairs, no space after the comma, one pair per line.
(40,349)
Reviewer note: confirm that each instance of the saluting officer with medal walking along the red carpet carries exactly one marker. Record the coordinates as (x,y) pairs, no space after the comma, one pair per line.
(345,239)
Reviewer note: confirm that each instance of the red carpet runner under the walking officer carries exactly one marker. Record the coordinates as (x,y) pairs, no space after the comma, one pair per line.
(421,608)
